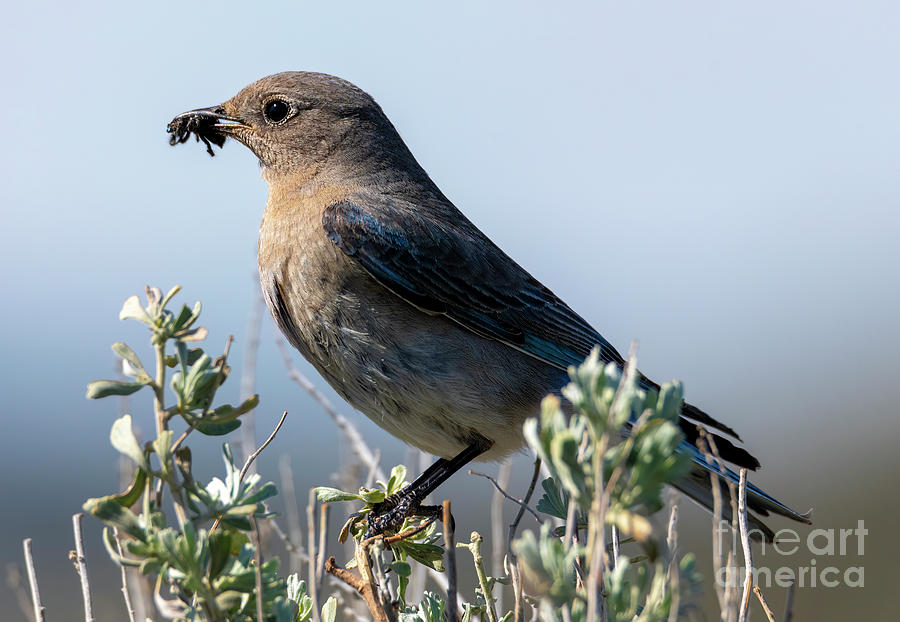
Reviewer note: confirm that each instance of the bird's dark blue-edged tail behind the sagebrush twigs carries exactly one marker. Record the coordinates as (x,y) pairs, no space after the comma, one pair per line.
(698,486)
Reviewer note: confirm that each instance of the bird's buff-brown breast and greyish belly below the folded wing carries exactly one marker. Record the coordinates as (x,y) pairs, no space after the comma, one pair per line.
(420,376)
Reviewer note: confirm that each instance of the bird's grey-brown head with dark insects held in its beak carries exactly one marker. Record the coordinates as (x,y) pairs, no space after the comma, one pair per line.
(295,121)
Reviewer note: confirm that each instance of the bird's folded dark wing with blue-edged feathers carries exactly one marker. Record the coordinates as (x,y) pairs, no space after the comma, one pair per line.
(451,268)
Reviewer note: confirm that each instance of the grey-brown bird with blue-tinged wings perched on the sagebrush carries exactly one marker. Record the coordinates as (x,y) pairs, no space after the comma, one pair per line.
(404,306)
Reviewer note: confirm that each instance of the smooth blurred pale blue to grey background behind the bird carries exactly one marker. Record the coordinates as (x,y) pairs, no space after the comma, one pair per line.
(718,181)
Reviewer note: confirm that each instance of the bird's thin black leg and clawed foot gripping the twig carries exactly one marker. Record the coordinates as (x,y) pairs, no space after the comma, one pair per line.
(390,513)
